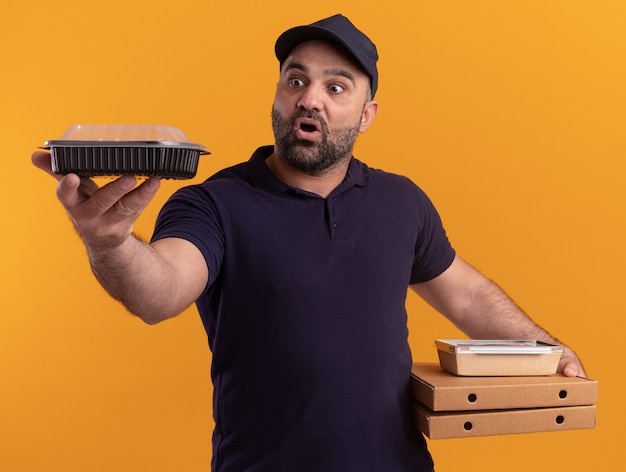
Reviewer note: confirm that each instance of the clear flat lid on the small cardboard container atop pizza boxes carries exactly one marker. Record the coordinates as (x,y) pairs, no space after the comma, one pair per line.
(497,346)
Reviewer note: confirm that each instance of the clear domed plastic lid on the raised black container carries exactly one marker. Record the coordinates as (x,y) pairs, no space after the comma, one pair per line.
(117,135)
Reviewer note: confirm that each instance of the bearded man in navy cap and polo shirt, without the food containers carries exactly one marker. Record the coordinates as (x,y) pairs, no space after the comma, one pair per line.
(299,261)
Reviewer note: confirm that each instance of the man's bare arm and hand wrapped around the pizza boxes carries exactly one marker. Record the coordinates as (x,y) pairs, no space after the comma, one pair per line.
(482,310)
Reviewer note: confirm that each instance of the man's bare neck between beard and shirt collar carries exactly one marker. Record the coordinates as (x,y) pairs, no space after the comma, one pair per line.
(321,185)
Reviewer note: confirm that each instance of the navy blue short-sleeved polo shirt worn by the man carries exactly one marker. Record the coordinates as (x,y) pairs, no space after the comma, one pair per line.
(305,315)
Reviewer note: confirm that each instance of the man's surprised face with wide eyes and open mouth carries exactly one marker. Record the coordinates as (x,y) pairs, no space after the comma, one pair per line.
(320,107)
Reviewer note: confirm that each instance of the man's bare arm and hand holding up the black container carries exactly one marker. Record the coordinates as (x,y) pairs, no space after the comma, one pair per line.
(156,281)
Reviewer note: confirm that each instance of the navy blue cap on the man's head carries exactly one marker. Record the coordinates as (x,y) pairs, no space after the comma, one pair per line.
(337,29)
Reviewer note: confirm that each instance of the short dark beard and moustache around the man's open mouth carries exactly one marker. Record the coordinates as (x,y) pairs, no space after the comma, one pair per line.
(314,158)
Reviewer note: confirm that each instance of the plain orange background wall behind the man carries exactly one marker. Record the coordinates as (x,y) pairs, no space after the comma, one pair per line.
(511,115)
